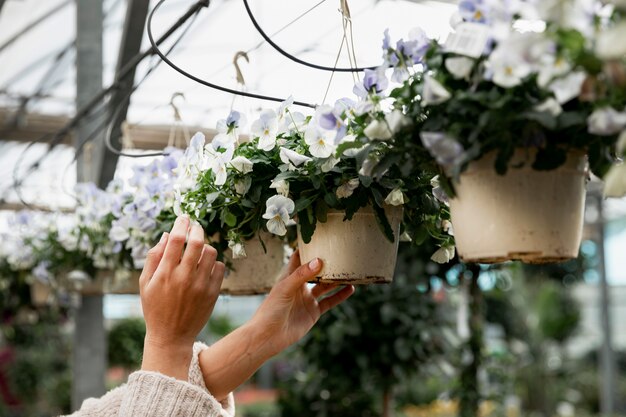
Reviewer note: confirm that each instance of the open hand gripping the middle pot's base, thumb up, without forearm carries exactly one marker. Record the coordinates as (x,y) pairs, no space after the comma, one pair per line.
(292,308)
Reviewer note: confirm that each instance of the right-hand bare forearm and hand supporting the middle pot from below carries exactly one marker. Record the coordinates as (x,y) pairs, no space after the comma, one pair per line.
(287,314)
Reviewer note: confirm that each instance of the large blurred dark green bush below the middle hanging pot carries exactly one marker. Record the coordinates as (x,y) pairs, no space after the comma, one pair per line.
(383,337)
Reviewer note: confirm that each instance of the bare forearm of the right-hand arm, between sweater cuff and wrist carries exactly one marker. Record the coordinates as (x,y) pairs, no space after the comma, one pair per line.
(232,360)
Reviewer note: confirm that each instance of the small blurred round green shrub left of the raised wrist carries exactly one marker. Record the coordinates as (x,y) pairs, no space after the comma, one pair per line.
(125,342)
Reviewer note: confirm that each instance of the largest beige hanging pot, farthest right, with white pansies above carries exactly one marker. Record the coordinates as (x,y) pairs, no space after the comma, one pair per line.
(528,215)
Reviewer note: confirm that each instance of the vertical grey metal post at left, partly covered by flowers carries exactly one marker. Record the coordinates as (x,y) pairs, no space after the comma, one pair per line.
(90,350)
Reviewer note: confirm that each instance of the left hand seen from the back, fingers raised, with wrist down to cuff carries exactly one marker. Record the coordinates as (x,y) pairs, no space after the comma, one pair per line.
(179,287)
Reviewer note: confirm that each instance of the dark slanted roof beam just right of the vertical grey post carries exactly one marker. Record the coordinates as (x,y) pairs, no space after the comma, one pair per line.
(130,46)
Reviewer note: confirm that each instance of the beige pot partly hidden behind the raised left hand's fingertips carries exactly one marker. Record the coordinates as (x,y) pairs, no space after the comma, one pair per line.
(258,271)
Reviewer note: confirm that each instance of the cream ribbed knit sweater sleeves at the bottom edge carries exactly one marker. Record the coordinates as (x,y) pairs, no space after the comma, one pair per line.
(156,395)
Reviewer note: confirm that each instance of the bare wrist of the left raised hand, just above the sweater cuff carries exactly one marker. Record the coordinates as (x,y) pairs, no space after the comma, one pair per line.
(172,359)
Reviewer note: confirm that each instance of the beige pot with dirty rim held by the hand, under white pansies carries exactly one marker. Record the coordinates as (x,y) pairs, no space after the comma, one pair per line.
(355,251)
